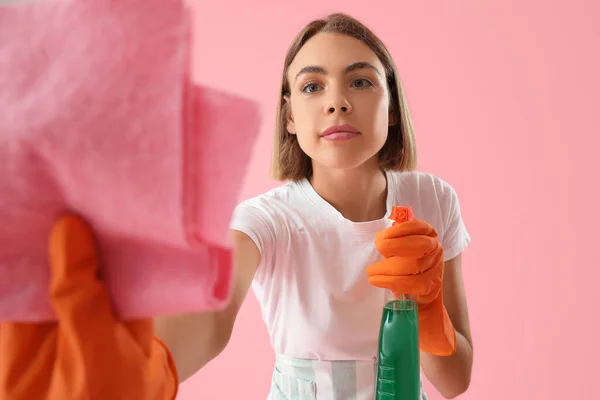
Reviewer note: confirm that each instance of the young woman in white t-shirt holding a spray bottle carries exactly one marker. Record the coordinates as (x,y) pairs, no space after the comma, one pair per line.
(345,143)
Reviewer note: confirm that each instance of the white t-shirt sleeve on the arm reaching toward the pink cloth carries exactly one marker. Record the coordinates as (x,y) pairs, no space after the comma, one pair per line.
(254,221)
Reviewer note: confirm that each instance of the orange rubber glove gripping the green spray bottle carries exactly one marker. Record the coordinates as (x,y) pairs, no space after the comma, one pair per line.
(413,264)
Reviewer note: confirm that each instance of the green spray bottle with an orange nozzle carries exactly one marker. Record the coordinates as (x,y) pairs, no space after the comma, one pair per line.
(398,364)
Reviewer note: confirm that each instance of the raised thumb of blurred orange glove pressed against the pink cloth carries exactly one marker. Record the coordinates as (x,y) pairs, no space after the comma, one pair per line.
(79,298)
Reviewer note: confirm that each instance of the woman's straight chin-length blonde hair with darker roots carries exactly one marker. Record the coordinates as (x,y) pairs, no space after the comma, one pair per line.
(399,150)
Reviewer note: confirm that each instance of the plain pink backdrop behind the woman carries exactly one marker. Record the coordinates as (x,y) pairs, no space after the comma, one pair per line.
(504,96)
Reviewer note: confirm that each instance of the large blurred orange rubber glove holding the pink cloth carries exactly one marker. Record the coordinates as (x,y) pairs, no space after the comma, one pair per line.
(87,354)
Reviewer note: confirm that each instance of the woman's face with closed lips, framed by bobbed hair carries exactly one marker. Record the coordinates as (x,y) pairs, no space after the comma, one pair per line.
(339,101)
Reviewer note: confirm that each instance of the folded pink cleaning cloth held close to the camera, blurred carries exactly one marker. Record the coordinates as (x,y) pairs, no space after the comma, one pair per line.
(99,116)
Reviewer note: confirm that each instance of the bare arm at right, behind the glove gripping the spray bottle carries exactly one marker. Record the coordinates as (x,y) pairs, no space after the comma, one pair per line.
(452,375)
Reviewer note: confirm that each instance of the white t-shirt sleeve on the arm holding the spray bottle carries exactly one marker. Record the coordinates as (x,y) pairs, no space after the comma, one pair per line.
(455,237)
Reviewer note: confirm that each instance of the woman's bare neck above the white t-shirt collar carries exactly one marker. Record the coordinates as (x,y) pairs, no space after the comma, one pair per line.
(359,194)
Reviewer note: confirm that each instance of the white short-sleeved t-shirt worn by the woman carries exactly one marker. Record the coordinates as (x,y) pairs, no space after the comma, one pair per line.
(312,284)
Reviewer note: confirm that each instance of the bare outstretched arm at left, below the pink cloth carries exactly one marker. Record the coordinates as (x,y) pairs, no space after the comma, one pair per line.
(196,339)
